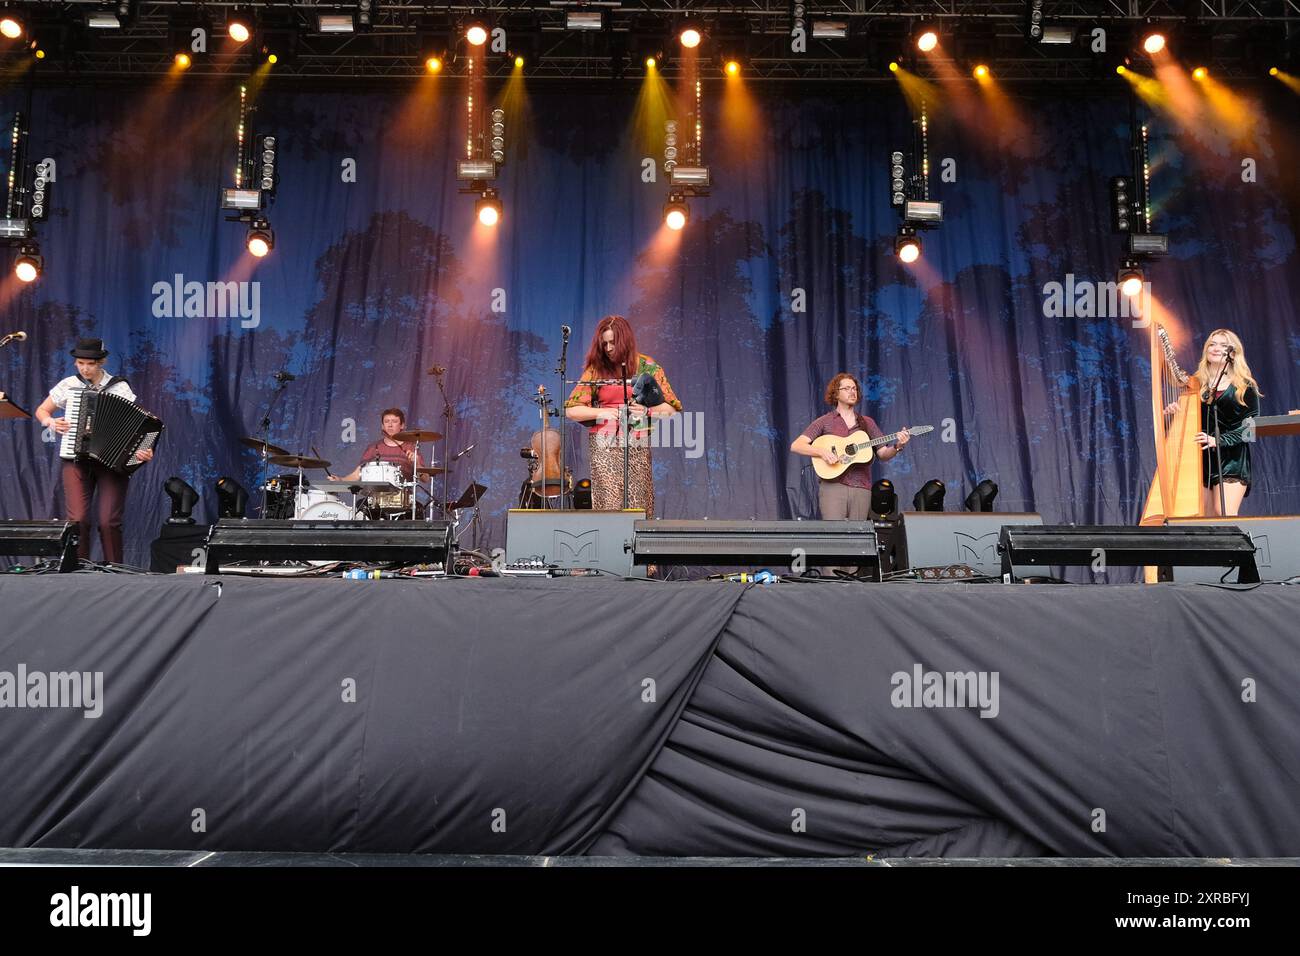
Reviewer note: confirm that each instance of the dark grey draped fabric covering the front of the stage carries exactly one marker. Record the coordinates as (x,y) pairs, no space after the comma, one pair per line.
(608,719)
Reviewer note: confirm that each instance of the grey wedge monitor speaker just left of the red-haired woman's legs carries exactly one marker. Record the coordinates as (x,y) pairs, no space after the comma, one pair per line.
(570,540)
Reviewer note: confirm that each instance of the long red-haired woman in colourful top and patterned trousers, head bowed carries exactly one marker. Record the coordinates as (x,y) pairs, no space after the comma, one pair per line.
(614,361)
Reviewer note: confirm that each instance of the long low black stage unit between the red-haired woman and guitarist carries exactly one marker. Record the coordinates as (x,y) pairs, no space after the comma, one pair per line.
(735,544)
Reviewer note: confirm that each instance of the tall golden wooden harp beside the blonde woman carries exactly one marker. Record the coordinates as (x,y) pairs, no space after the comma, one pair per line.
(1176,491)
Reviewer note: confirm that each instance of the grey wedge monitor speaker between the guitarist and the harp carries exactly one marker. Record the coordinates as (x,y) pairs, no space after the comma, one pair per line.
(943,539)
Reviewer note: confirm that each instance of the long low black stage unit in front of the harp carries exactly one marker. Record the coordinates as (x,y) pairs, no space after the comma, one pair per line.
(1129,547)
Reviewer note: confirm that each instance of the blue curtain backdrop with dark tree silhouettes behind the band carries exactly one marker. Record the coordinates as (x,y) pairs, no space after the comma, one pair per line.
(374,282)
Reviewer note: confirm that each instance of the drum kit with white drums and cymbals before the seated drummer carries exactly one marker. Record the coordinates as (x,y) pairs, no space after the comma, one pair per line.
(382,494)
